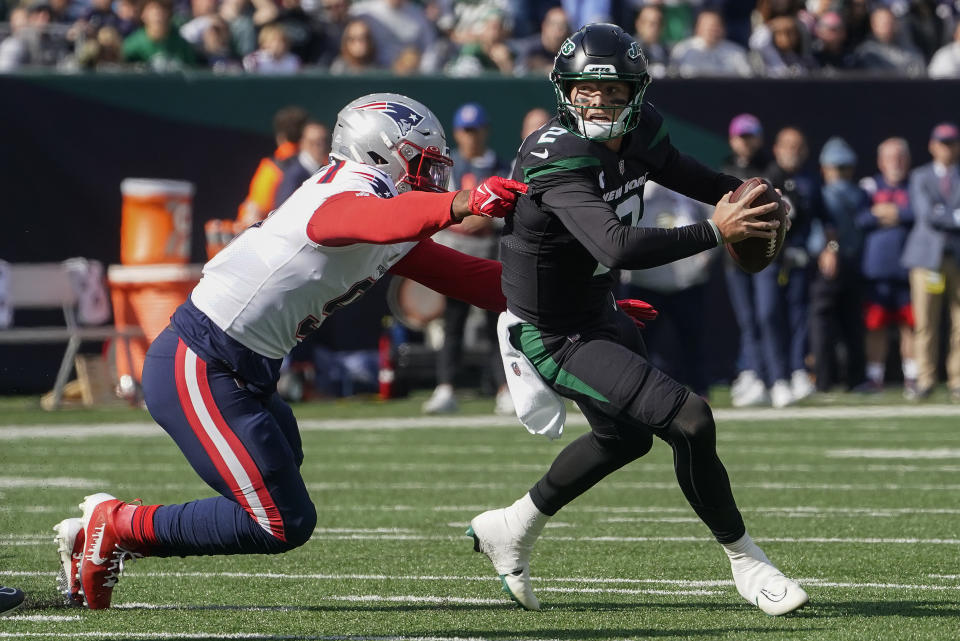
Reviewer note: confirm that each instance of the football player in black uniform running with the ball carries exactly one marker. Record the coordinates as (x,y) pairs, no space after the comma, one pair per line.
(585,171)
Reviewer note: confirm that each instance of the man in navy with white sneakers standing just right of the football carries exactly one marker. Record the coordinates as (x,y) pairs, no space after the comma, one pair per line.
(781,289)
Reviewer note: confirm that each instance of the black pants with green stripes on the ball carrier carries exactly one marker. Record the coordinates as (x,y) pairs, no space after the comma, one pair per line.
(627,401)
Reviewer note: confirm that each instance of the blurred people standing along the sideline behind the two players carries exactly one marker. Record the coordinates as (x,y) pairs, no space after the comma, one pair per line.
(862,296)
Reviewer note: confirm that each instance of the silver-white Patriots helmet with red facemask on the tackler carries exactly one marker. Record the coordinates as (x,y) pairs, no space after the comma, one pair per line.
(397,135)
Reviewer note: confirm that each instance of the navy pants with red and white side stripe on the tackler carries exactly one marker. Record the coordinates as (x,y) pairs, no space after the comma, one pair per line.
(246,446)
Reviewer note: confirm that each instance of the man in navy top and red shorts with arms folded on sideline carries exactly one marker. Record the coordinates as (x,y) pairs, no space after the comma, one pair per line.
(885,224)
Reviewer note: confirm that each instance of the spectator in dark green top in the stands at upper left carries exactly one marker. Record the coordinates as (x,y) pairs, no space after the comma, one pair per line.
(157,44)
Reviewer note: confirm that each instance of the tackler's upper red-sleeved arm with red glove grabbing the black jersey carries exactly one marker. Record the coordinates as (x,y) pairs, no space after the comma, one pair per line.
(360,217)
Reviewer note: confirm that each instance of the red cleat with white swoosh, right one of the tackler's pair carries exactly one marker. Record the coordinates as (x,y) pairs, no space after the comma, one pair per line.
(104,549)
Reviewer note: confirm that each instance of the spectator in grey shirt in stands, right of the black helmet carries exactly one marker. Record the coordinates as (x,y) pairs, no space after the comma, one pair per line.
(707,53)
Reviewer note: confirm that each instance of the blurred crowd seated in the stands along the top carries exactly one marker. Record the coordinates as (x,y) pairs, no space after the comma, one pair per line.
(778,38)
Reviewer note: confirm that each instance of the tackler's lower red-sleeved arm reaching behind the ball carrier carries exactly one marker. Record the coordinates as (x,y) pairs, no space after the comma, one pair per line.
(451,273)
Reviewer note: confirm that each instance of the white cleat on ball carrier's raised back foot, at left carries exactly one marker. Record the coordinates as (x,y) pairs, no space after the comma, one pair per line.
(509,554)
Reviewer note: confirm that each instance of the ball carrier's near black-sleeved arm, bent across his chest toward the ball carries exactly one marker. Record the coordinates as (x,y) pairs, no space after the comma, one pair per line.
(613,244)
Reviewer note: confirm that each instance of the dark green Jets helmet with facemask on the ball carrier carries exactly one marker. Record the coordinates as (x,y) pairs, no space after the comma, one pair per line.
(599,52)
